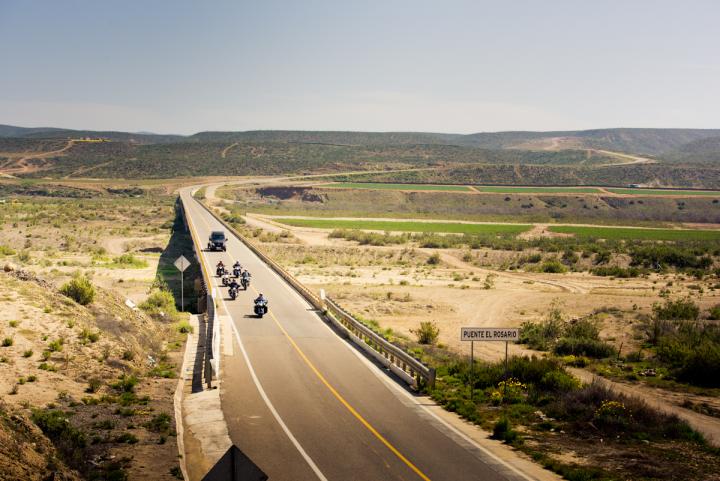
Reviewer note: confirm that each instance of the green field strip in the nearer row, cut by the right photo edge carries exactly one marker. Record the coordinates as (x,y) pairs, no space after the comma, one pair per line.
(629,233)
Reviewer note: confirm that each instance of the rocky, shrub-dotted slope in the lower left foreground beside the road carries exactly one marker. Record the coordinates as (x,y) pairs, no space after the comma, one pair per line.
(87,389)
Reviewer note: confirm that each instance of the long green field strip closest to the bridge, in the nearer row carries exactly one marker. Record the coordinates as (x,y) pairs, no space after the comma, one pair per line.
(406,226)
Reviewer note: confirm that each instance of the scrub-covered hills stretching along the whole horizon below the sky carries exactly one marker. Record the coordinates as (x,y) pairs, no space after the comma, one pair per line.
(39,152)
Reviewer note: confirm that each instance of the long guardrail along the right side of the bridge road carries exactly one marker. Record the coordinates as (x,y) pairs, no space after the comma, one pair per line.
(402,364)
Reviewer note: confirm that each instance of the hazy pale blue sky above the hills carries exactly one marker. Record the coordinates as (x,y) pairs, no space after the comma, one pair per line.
(445,66)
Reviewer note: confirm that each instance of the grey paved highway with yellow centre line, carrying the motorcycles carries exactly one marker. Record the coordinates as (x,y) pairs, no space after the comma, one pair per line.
(303,404)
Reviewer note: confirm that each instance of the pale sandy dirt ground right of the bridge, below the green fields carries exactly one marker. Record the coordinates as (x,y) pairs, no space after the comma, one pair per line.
(394,286)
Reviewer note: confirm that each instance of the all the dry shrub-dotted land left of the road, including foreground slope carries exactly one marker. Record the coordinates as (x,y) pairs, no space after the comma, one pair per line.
(95,374)
